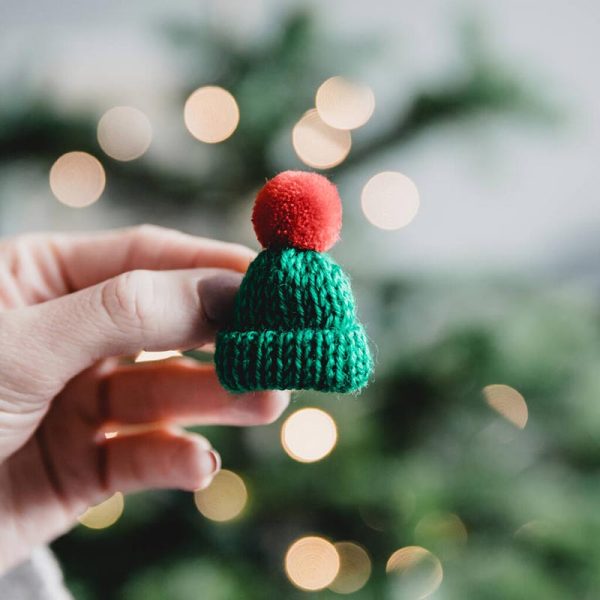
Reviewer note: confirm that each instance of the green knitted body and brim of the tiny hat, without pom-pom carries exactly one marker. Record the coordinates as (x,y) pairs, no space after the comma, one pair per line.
(294,327)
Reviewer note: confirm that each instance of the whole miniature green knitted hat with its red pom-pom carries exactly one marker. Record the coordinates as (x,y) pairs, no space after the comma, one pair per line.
(294,324)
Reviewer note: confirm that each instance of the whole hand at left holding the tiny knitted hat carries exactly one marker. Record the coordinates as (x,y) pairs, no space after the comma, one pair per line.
(68,303)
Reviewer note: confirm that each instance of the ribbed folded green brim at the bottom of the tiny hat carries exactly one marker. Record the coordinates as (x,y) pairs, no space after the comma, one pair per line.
(309,359)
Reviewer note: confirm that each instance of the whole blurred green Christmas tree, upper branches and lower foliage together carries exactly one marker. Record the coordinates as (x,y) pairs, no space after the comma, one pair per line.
(421,459)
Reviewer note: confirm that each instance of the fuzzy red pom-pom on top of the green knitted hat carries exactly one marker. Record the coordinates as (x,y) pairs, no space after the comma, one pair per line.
(300,210)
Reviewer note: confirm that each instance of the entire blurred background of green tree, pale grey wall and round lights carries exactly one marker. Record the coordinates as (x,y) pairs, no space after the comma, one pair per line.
(464,139)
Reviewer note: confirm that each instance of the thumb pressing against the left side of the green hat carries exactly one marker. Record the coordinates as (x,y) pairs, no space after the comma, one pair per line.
(151,310)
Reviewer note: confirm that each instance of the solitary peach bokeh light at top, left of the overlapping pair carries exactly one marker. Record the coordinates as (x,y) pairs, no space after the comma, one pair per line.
(211,114)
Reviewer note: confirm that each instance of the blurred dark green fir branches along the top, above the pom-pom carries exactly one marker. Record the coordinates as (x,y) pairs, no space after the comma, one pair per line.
(273,83)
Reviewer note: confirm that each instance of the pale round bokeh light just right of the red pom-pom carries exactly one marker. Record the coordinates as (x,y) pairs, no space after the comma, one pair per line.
(390,200)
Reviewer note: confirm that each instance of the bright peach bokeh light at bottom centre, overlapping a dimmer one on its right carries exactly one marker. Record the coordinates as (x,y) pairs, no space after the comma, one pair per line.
(312,563)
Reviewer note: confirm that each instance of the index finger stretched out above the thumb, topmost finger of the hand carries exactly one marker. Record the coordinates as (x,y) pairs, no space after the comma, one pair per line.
(87,259)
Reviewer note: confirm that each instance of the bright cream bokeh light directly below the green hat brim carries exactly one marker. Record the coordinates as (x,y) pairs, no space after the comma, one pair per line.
(309,435)
